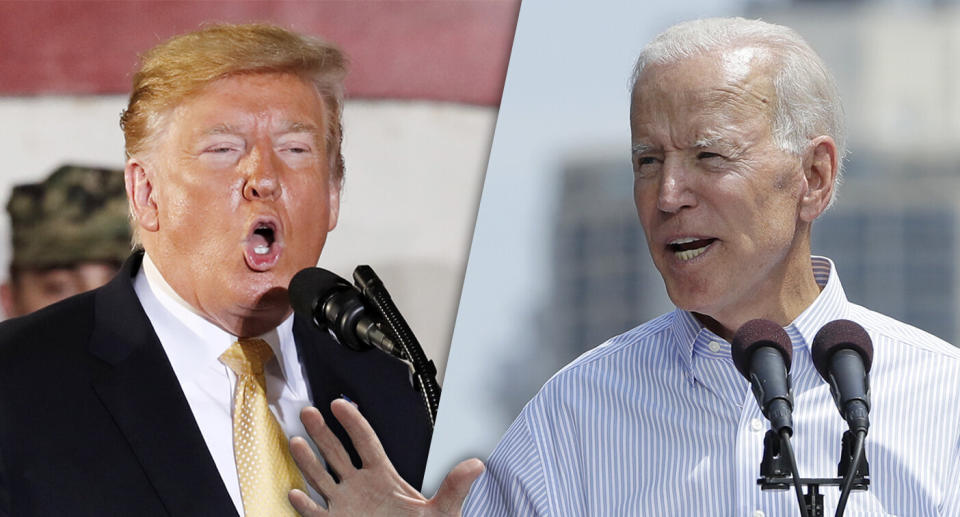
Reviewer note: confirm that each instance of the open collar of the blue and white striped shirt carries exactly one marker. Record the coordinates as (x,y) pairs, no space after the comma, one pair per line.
(691,337)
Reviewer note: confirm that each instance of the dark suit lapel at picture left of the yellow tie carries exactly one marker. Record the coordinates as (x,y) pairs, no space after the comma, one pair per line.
(142,393)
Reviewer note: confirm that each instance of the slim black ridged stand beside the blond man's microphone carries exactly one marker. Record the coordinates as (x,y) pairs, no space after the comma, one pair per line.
(423,371)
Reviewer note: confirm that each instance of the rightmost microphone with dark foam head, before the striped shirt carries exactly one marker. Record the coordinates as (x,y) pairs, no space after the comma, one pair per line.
(843,352)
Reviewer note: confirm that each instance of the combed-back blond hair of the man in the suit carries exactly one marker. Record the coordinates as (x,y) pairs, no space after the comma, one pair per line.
(184,64)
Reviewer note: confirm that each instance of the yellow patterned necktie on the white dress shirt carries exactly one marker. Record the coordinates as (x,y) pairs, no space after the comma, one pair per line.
(264,465)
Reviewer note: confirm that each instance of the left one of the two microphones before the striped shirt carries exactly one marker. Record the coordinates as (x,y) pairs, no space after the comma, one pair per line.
(761,352)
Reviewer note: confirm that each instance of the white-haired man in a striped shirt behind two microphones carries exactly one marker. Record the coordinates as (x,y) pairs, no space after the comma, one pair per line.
(737,144)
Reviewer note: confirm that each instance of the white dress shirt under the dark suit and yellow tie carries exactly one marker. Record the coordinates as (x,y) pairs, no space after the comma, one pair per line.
(193,346)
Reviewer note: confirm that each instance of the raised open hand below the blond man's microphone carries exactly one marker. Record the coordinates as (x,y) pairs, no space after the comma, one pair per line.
(374,489)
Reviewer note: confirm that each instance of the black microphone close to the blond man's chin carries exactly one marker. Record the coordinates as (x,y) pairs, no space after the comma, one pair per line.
(330,302)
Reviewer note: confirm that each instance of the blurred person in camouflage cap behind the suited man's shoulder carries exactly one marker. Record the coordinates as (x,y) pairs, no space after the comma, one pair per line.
(70,234)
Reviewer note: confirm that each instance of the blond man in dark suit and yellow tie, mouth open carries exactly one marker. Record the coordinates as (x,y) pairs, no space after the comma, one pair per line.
(173,389)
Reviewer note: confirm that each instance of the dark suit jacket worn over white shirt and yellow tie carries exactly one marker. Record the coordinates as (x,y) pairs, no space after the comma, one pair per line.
(93,420)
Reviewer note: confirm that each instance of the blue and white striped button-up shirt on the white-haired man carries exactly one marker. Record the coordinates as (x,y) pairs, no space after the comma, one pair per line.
(657,421)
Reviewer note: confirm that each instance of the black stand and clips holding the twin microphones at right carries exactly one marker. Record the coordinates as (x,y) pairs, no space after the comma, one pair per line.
(775,472)
